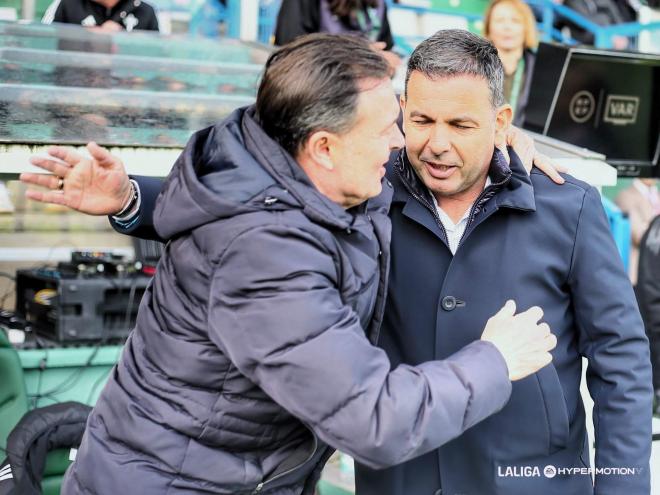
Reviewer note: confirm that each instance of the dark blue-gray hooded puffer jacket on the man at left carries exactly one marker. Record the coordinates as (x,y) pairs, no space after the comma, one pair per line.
(253,353)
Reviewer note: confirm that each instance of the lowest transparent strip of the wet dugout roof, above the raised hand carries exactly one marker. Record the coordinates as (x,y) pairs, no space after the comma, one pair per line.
(65,115)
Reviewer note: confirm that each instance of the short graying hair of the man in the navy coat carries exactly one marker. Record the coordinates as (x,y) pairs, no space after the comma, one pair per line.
(455,52)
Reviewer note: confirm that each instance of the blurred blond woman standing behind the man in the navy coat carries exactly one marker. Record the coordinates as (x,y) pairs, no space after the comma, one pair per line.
(511,26)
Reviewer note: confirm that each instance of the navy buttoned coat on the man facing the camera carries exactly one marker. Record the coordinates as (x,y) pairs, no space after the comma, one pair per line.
(540,244)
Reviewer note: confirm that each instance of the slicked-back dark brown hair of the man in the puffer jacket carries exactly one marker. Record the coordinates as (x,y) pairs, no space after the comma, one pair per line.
(312,84)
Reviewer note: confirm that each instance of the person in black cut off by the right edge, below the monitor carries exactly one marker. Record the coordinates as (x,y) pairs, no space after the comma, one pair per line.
(648,295)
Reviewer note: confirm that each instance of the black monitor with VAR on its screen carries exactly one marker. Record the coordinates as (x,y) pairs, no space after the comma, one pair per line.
(602,100)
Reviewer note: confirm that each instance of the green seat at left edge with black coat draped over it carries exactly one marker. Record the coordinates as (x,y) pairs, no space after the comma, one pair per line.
(13,405)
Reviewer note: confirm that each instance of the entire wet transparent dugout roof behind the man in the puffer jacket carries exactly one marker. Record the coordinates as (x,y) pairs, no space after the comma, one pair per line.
(62,84)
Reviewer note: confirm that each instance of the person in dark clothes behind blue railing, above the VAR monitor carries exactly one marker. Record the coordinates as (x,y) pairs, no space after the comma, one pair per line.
(603,13)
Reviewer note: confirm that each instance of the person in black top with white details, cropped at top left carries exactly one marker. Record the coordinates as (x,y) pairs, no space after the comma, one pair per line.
(103,15)
